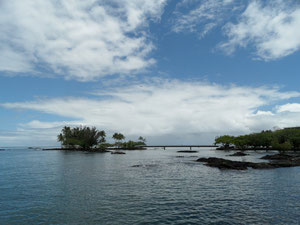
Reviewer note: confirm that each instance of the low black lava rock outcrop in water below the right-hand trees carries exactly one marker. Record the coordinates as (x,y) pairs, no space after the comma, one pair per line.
(276,161)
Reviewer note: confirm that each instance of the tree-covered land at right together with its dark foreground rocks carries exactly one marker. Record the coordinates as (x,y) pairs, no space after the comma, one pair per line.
(286,141)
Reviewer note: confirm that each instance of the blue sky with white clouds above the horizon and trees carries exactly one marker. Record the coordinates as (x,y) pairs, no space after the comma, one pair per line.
(175,72)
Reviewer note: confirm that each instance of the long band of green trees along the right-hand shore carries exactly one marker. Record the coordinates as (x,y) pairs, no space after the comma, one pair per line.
(282,140)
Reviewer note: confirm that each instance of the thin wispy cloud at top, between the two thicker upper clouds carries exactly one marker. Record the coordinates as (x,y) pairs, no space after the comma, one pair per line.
(202,18)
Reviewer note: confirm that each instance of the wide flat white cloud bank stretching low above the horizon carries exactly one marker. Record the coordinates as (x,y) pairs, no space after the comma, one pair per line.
(169,111)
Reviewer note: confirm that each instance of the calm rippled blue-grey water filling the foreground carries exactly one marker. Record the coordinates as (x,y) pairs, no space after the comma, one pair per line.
(56,187)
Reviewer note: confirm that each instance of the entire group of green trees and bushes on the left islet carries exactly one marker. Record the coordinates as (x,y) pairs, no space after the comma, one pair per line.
(91,139)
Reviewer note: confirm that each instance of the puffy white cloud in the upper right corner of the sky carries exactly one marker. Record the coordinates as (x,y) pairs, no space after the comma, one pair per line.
(272,27)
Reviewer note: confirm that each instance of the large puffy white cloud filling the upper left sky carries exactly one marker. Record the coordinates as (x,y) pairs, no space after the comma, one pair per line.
(80,40)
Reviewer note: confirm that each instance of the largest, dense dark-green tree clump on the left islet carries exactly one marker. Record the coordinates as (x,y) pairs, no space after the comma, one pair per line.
(82,137)
